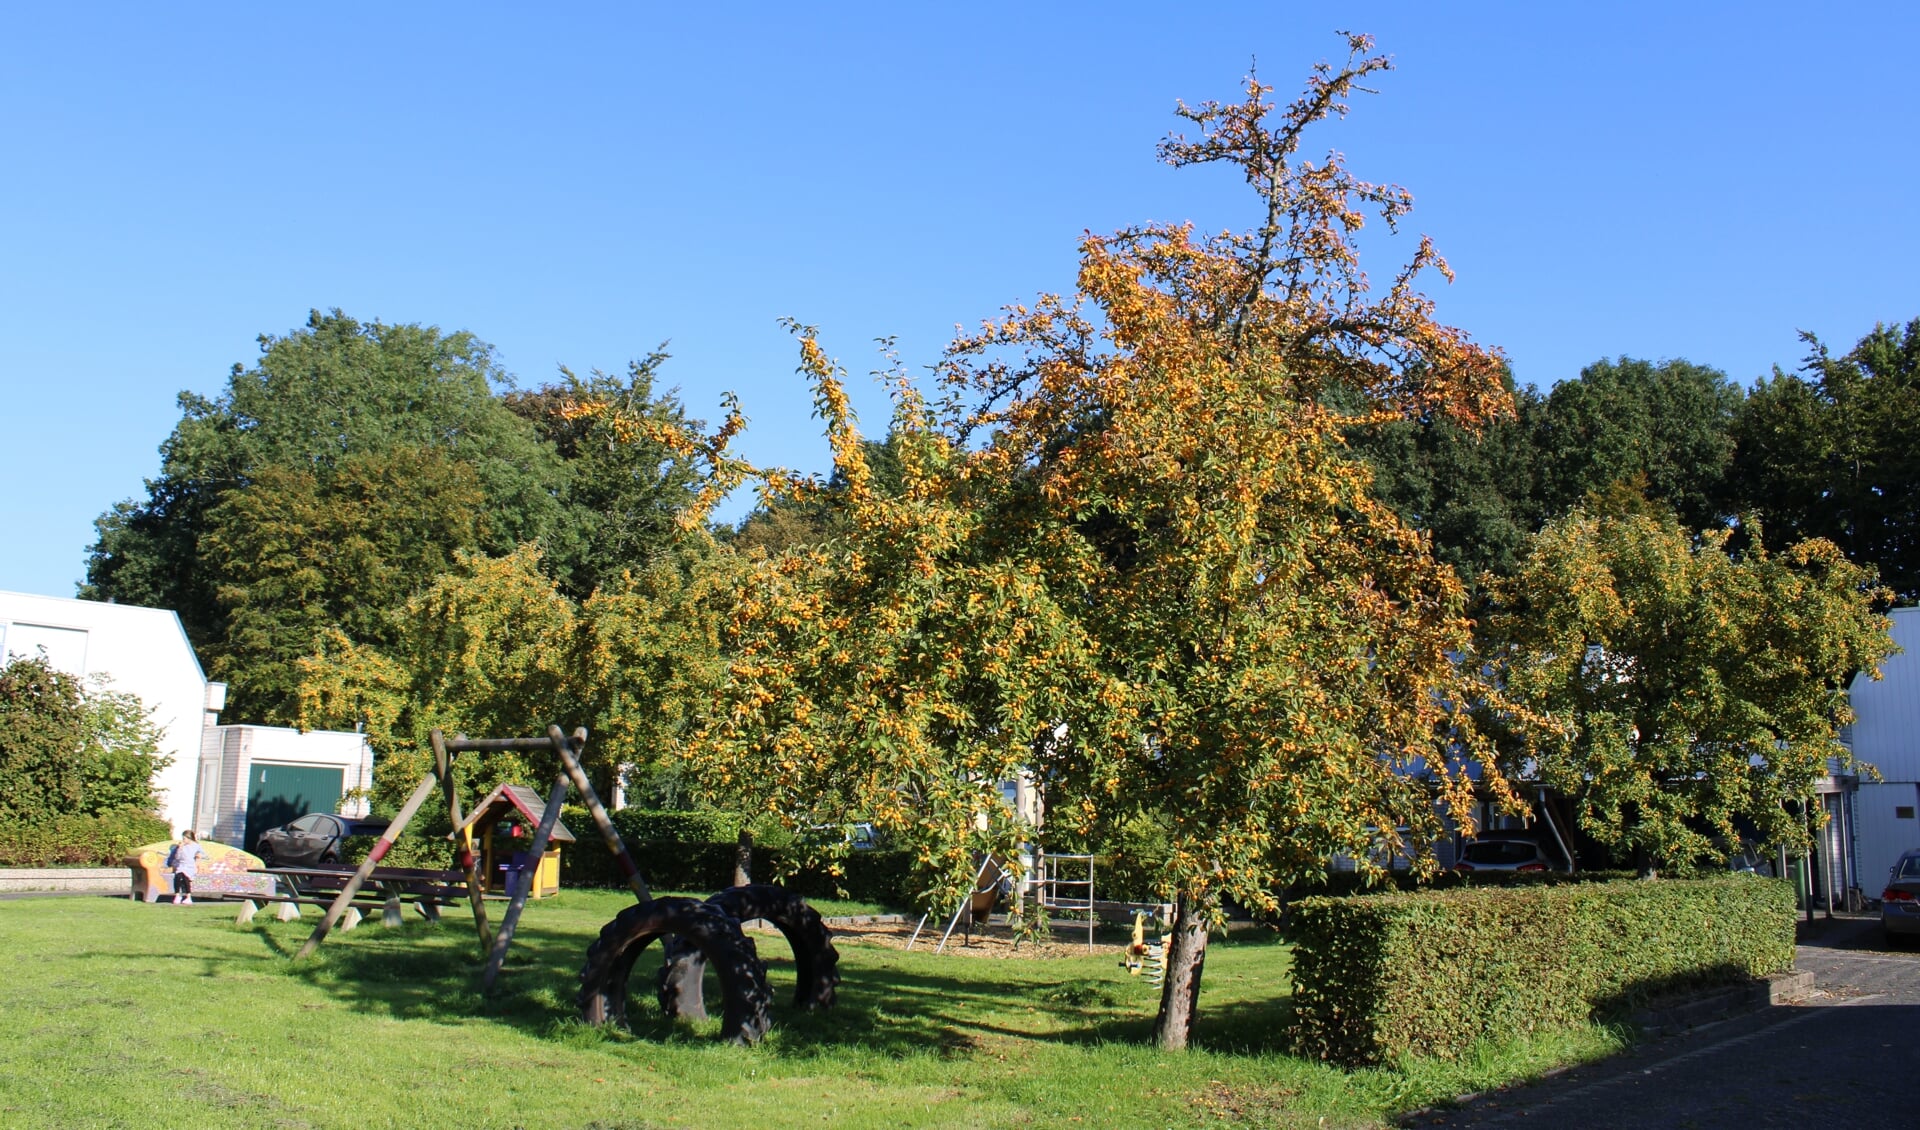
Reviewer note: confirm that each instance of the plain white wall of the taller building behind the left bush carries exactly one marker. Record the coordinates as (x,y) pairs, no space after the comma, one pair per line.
(141,651)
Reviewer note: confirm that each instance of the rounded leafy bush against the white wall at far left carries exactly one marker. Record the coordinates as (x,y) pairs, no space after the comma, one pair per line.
(68,749)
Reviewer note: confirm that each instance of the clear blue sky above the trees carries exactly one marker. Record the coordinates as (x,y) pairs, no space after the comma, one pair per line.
(579,185)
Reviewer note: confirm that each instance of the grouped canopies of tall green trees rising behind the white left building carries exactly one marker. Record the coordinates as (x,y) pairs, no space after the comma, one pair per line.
(348,467)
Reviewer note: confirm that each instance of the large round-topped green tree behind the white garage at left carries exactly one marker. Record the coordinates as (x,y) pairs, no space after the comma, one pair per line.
(329,402)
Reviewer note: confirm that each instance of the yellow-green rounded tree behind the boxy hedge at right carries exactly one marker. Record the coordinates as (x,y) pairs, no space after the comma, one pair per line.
(1692,690)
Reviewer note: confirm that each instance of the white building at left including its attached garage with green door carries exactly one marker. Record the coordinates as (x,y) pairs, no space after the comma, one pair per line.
(220,774)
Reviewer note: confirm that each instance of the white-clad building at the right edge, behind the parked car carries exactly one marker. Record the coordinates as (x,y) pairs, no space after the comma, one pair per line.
(1886,736)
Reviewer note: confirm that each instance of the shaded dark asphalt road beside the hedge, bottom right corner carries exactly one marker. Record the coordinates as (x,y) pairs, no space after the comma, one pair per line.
(1850,1056)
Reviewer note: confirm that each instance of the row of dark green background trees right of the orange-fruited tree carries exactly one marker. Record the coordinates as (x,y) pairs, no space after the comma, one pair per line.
(1827,452)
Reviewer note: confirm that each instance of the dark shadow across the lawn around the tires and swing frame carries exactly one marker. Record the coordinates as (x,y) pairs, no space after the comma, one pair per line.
(433,974)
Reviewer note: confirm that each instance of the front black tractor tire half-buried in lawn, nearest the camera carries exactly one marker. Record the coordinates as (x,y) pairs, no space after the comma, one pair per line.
(709,931)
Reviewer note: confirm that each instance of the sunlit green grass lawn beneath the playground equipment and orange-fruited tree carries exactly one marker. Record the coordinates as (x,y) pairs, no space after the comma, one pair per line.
(155,1016)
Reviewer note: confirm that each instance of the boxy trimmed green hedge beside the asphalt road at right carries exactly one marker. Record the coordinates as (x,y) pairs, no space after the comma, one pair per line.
(1393,976)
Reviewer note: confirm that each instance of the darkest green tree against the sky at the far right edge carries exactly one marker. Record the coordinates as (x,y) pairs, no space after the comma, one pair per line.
(1836,454)
